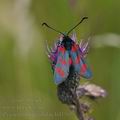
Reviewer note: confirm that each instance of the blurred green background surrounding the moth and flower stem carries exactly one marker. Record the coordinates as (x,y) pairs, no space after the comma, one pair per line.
(27,90)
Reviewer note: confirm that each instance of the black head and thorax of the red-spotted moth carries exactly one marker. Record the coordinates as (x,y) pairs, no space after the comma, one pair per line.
(67,42)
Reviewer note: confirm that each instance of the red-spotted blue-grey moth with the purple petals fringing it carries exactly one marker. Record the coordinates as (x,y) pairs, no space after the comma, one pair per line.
(66,53)
